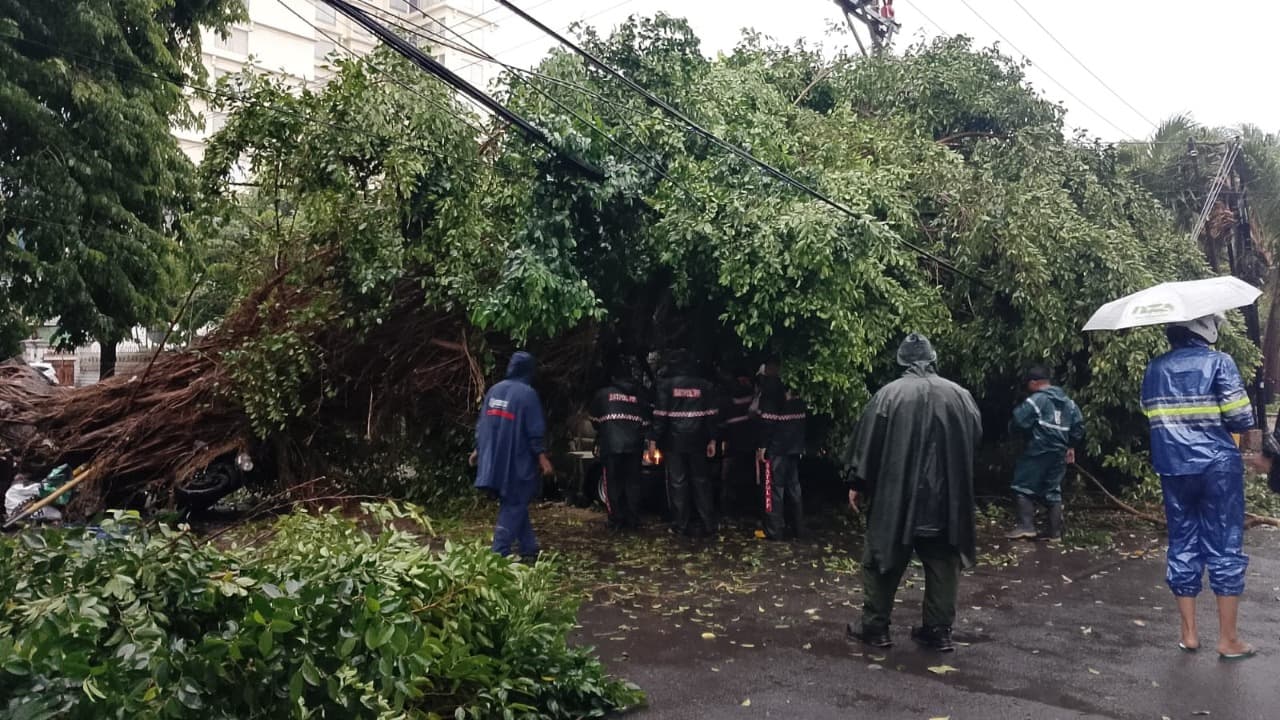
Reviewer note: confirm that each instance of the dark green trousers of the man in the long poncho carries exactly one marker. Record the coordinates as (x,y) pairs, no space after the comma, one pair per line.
(941,584)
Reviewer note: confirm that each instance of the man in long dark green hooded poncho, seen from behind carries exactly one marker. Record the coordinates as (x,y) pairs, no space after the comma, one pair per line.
(913,457)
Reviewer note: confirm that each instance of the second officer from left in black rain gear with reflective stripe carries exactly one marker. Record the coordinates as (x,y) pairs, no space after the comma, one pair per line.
(685,420)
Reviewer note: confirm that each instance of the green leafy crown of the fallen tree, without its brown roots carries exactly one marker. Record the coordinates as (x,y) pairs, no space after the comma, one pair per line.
(945,148)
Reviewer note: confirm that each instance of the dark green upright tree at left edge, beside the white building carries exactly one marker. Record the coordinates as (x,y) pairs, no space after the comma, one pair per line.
(93,185)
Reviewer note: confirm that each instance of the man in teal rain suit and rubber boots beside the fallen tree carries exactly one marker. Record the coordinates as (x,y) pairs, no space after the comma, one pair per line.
(1053,427)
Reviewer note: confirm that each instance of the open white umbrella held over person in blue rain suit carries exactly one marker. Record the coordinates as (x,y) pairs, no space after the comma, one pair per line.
(1174,303)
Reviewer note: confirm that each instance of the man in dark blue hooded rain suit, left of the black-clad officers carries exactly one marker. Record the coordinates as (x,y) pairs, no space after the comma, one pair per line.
(510,453)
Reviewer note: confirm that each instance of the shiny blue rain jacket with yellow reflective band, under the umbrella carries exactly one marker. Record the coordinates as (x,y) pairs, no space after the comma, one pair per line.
(1195,399)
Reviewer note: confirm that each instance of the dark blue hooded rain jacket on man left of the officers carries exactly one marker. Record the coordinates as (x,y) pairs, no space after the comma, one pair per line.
(510,435)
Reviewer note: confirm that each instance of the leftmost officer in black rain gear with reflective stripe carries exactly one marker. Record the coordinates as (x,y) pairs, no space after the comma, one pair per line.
(621,416)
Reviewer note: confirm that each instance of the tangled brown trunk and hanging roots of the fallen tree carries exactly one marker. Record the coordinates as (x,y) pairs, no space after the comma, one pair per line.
(150,435)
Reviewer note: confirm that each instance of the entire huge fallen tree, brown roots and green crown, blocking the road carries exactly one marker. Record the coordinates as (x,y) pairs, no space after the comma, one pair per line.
(386,252)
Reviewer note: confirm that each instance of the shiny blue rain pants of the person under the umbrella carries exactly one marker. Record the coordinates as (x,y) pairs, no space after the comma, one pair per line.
(1206,530)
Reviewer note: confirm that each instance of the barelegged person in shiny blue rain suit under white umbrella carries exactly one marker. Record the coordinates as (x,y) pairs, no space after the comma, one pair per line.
(1195,399)
